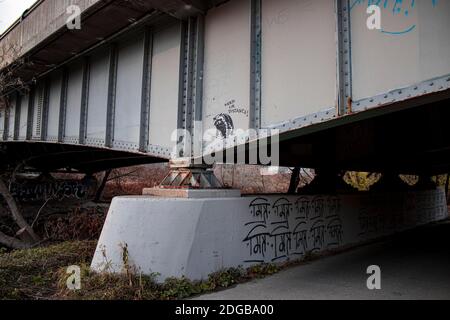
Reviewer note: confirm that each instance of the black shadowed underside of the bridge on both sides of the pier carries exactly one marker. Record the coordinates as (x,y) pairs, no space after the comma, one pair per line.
(411,138)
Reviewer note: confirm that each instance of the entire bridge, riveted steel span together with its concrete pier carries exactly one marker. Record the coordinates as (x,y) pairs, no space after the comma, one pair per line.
(317,81)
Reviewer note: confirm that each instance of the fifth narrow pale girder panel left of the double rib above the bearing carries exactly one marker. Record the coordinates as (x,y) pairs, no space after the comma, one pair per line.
(54,103)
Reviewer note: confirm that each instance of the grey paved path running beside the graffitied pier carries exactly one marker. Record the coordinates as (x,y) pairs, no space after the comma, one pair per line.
(414,265)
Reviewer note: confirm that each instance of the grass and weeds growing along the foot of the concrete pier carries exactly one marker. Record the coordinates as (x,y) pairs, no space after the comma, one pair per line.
(40,273)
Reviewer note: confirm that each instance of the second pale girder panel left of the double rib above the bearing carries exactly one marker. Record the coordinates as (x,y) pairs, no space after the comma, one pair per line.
(129,94)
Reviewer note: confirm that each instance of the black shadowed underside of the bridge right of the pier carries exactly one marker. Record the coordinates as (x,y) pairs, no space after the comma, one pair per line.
(410,137)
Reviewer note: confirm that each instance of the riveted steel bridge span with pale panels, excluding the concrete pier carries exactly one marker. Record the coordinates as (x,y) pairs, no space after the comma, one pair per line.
(113,92)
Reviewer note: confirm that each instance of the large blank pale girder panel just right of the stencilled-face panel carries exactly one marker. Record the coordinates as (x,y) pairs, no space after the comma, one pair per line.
(298,58)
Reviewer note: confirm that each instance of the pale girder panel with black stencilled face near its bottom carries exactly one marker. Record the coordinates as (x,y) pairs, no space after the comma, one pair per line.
(227,64)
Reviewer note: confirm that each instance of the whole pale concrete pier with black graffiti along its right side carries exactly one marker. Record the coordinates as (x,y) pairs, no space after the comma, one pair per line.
(175,237)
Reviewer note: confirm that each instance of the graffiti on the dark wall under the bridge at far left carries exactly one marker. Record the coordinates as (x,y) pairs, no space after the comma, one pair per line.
(30,190)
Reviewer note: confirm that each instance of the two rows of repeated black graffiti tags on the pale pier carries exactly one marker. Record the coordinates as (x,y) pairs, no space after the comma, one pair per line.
(284,229)
